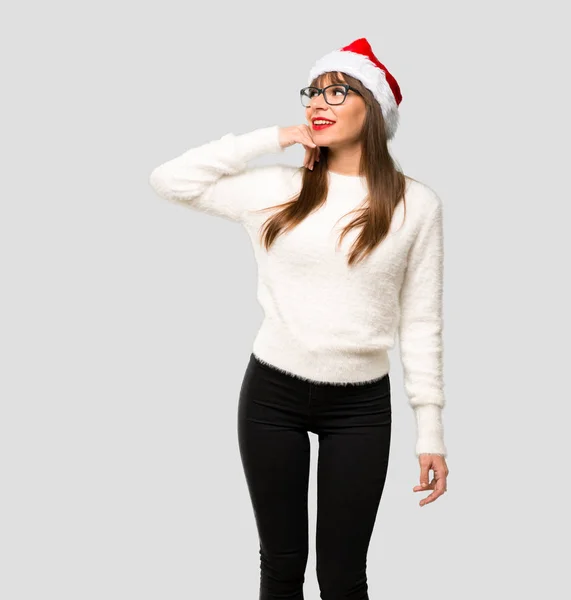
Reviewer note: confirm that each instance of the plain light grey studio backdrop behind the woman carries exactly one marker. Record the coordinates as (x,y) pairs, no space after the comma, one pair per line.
(127,321)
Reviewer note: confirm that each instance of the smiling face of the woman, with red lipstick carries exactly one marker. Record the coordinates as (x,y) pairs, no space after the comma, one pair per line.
(348,118)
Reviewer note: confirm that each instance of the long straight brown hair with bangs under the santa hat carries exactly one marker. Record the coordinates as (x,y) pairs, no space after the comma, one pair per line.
(386,184)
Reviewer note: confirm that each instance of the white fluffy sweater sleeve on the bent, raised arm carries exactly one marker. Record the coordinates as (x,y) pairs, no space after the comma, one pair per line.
(213,178)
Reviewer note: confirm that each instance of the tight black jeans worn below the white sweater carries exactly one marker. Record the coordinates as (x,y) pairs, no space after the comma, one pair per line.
(275,413)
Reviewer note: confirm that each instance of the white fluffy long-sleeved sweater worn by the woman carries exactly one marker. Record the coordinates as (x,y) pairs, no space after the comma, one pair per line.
(325,321)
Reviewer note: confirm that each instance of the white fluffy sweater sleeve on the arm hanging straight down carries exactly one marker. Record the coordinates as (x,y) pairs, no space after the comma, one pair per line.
(420,331)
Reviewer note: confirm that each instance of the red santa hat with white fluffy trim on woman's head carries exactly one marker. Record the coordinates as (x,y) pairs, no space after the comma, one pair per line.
(357,59)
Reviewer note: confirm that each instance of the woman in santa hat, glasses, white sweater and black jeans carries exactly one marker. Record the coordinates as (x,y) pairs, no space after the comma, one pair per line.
(350,254)
